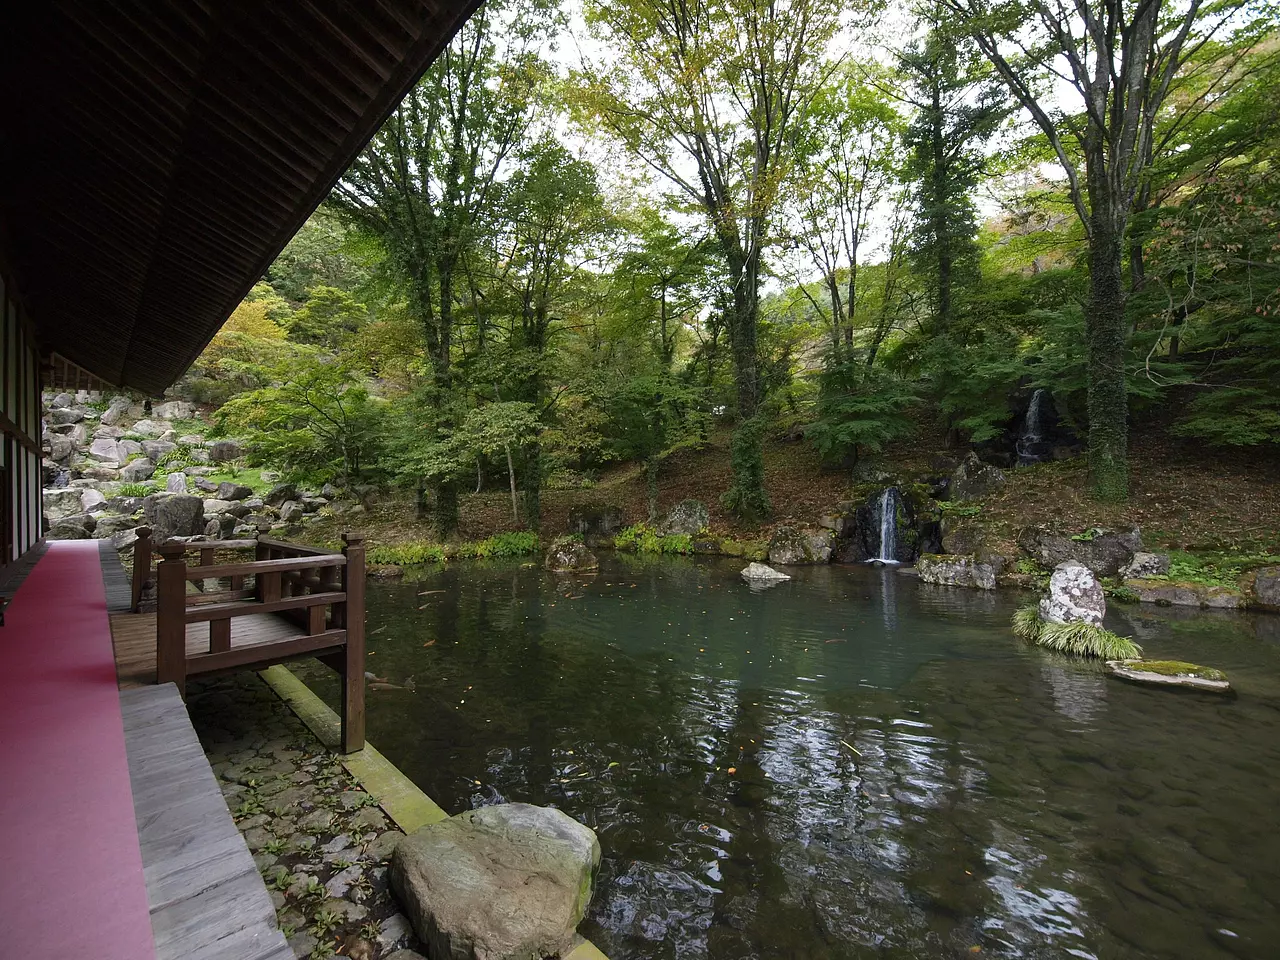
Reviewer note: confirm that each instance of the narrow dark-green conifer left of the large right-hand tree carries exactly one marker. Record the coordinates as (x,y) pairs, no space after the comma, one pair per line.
(957,109)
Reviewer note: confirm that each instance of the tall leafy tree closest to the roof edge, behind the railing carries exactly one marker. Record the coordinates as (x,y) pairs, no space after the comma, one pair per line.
(427,184)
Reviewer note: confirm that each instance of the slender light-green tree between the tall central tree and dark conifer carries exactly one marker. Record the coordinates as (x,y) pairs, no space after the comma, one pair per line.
(848,145)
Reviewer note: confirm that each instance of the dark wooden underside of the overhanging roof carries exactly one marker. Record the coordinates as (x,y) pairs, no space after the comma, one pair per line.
(157,157)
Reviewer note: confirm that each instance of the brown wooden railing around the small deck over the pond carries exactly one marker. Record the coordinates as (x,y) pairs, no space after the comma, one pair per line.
(321,593)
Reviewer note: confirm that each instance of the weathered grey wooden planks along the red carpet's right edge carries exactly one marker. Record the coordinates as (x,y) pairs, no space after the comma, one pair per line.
(204,892)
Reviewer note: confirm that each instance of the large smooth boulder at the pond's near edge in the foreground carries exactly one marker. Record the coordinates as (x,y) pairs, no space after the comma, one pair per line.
(506,883)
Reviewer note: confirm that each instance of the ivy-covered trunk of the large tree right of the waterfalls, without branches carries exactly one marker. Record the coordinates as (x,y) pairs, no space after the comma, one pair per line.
(1105,333)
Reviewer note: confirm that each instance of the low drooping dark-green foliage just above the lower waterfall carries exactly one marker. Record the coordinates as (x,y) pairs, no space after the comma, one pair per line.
(861,410)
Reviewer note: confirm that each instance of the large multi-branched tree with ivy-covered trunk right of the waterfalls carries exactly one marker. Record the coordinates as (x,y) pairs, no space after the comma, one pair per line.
(1123,61)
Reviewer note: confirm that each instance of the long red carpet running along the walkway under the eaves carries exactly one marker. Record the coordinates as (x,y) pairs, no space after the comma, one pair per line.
(71,877)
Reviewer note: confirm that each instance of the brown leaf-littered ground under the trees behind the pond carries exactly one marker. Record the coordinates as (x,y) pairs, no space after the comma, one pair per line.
(1183,496)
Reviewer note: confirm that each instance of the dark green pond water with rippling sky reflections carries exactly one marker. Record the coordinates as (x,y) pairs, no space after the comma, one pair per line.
(849,765)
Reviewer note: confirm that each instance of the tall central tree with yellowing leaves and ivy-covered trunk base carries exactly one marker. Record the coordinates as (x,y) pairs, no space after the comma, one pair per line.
(706,94)
